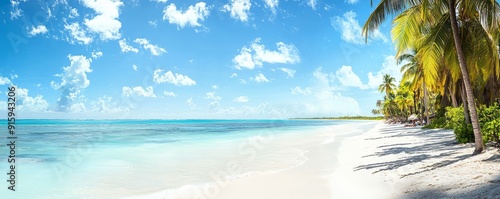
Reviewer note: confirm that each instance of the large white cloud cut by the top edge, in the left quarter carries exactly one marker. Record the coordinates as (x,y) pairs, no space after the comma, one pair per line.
(106,22)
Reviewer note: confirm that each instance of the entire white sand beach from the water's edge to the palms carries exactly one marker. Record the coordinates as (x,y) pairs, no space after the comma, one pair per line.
(388,161)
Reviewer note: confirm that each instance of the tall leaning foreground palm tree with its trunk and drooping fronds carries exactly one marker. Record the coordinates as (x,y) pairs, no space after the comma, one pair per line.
(478,16)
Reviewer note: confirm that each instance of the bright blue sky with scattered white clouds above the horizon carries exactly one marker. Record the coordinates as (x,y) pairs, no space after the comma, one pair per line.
(192,59)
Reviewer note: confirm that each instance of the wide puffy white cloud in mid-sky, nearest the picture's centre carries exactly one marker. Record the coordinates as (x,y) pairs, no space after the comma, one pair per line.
(257,54)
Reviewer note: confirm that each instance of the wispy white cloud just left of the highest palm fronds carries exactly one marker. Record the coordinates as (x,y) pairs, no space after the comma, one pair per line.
(350,29)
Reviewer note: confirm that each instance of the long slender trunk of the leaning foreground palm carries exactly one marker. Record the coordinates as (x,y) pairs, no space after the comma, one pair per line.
(468,87)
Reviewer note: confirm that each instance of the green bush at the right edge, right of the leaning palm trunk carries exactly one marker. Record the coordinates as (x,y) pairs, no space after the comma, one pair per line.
(489,119)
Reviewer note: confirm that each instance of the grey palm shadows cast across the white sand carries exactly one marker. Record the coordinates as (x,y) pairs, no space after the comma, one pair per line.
(440,141)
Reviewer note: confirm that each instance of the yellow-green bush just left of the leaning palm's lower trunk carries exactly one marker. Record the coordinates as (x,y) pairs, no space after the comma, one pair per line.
(455,120)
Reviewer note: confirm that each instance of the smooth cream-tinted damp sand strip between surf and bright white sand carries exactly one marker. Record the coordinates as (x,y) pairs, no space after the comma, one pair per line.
(308,180)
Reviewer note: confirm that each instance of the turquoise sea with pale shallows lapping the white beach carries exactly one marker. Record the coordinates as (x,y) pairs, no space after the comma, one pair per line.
(150,158)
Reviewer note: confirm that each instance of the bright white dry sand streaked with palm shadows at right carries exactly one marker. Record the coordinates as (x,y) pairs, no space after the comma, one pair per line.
(392,161)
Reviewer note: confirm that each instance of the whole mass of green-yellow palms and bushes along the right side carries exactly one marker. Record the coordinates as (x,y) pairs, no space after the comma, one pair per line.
(450,55)
